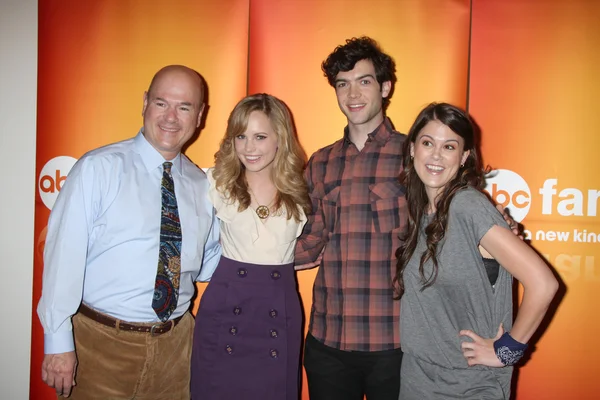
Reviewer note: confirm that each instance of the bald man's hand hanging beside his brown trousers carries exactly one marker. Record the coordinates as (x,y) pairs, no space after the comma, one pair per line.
(58,372)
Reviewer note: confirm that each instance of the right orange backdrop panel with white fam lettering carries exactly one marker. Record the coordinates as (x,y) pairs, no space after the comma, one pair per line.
(533,90)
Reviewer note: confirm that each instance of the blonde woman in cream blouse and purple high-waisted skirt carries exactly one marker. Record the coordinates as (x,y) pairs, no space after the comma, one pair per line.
(249,324)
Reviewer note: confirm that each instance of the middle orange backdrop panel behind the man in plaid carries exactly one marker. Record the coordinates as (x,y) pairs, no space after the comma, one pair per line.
(290,39)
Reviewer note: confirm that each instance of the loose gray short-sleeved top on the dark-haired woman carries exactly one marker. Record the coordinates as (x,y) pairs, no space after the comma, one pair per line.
(462,296)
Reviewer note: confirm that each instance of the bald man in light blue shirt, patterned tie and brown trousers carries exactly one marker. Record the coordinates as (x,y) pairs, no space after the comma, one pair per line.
(126,239)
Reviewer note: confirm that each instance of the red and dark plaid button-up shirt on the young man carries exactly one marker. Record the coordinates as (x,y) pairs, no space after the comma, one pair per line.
(359,210)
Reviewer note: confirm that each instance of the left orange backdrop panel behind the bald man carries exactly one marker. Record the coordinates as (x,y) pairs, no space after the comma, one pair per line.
(96,59)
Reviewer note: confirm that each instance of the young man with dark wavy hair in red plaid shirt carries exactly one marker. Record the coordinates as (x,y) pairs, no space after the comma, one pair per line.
(359,210)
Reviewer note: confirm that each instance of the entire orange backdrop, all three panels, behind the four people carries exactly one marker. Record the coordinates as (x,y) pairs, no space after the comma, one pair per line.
(525,74)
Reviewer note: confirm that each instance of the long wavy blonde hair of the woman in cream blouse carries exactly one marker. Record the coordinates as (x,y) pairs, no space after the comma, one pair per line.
(288,166)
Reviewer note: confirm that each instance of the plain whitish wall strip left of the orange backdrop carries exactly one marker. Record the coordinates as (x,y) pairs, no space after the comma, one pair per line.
(18,92)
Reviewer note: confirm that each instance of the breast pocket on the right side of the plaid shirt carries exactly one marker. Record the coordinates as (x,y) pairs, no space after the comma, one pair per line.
(387,204)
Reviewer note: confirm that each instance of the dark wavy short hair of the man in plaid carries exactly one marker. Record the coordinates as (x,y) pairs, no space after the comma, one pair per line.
(345,57)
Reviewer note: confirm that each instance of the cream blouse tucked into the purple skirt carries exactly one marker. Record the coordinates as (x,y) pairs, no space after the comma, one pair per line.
(247,238)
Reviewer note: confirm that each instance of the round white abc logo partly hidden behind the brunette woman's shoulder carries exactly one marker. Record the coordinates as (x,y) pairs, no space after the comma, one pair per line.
(511,191)
